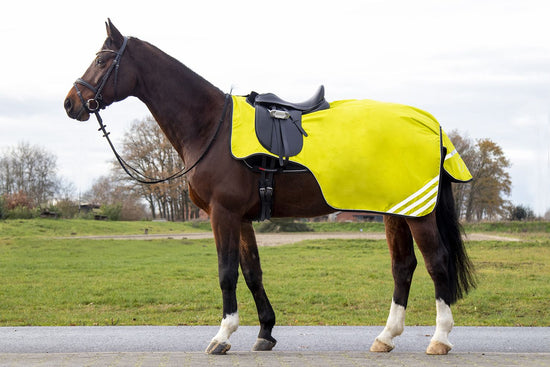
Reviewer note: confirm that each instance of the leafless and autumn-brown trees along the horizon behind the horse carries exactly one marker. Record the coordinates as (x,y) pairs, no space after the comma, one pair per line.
(29,183)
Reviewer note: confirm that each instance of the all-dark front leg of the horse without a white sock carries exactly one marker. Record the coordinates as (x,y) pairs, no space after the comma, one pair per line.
(252,272)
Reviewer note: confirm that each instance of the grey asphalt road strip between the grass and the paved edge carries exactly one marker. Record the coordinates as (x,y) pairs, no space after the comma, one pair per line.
(290,339)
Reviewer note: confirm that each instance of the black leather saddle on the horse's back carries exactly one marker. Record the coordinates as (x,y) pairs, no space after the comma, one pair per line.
(279,123)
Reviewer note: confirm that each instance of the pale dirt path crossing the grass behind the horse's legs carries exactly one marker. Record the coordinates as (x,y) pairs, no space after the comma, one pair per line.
(276,239)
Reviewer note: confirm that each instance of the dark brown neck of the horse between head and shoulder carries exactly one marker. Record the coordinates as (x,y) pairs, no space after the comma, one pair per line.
(181,101)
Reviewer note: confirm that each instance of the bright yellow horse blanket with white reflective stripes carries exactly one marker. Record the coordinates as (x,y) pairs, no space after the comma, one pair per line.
(366,155)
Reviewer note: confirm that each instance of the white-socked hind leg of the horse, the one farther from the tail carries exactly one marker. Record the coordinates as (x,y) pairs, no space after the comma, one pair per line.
(400,243)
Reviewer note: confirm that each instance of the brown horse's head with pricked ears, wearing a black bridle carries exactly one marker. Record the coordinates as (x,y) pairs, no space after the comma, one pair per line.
(109,78)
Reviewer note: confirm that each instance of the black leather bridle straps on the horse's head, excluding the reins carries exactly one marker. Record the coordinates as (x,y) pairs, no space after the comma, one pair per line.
(95,104)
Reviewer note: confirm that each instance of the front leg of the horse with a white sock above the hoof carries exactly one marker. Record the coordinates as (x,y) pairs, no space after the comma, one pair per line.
(226,229)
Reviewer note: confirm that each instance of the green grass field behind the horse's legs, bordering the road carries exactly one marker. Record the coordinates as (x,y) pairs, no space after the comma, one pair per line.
(49,281)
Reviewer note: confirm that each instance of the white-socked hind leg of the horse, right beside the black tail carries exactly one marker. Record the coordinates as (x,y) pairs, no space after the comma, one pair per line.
(436,257)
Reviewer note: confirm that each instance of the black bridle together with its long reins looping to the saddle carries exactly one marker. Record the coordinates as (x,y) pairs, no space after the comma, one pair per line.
(95,104)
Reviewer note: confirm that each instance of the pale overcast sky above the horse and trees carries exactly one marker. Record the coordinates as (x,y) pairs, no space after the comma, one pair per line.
(481,67)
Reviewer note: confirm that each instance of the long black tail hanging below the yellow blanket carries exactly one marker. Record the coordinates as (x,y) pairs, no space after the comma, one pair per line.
(460,268)
